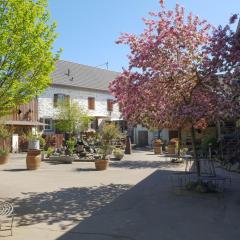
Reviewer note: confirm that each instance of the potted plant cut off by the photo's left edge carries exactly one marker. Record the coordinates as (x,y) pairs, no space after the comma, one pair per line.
(4,152)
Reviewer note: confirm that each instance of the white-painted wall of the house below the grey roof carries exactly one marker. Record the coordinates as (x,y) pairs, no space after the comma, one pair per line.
(46,107)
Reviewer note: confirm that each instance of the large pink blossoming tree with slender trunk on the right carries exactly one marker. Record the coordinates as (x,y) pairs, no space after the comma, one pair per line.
(182,73)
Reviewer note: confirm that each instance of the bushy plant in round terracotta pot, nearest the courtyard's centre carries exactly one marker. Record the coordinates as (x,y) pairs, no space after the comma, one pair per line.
(108,133)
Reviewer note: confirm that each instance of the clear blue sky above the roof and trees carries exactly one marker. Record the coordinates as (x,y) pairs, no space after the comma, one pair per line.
(88,28)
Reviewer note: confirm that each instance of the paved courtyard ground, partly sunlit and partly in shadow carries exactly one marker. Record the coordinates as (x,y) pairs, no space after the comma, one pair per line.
(133,199)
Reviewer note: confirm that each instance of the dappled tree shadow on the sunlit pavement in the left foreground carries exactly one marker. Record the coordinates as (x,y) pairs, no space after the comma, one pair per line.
(68,204)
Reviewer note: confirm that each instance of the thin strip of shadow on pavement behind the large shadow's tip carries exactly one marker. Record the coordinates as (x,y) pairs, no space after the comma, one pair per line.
(141,164)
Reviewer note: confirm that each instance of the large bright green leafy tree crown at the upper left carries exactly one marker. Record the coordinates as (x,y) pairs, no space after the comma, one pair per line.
(26,57)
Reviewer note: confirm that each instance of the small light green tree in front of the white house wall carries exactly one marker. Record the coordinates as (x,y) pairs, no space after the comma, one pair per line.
(71,118)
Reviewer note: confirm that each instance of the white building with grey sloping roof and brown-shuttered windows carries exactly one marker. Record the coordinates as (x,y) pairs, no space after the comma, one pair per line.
(84,84)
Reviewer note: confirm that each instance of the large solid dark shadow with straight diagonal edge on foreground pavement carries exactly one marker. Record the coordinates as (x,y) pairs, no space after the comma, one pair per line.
(153,210)
